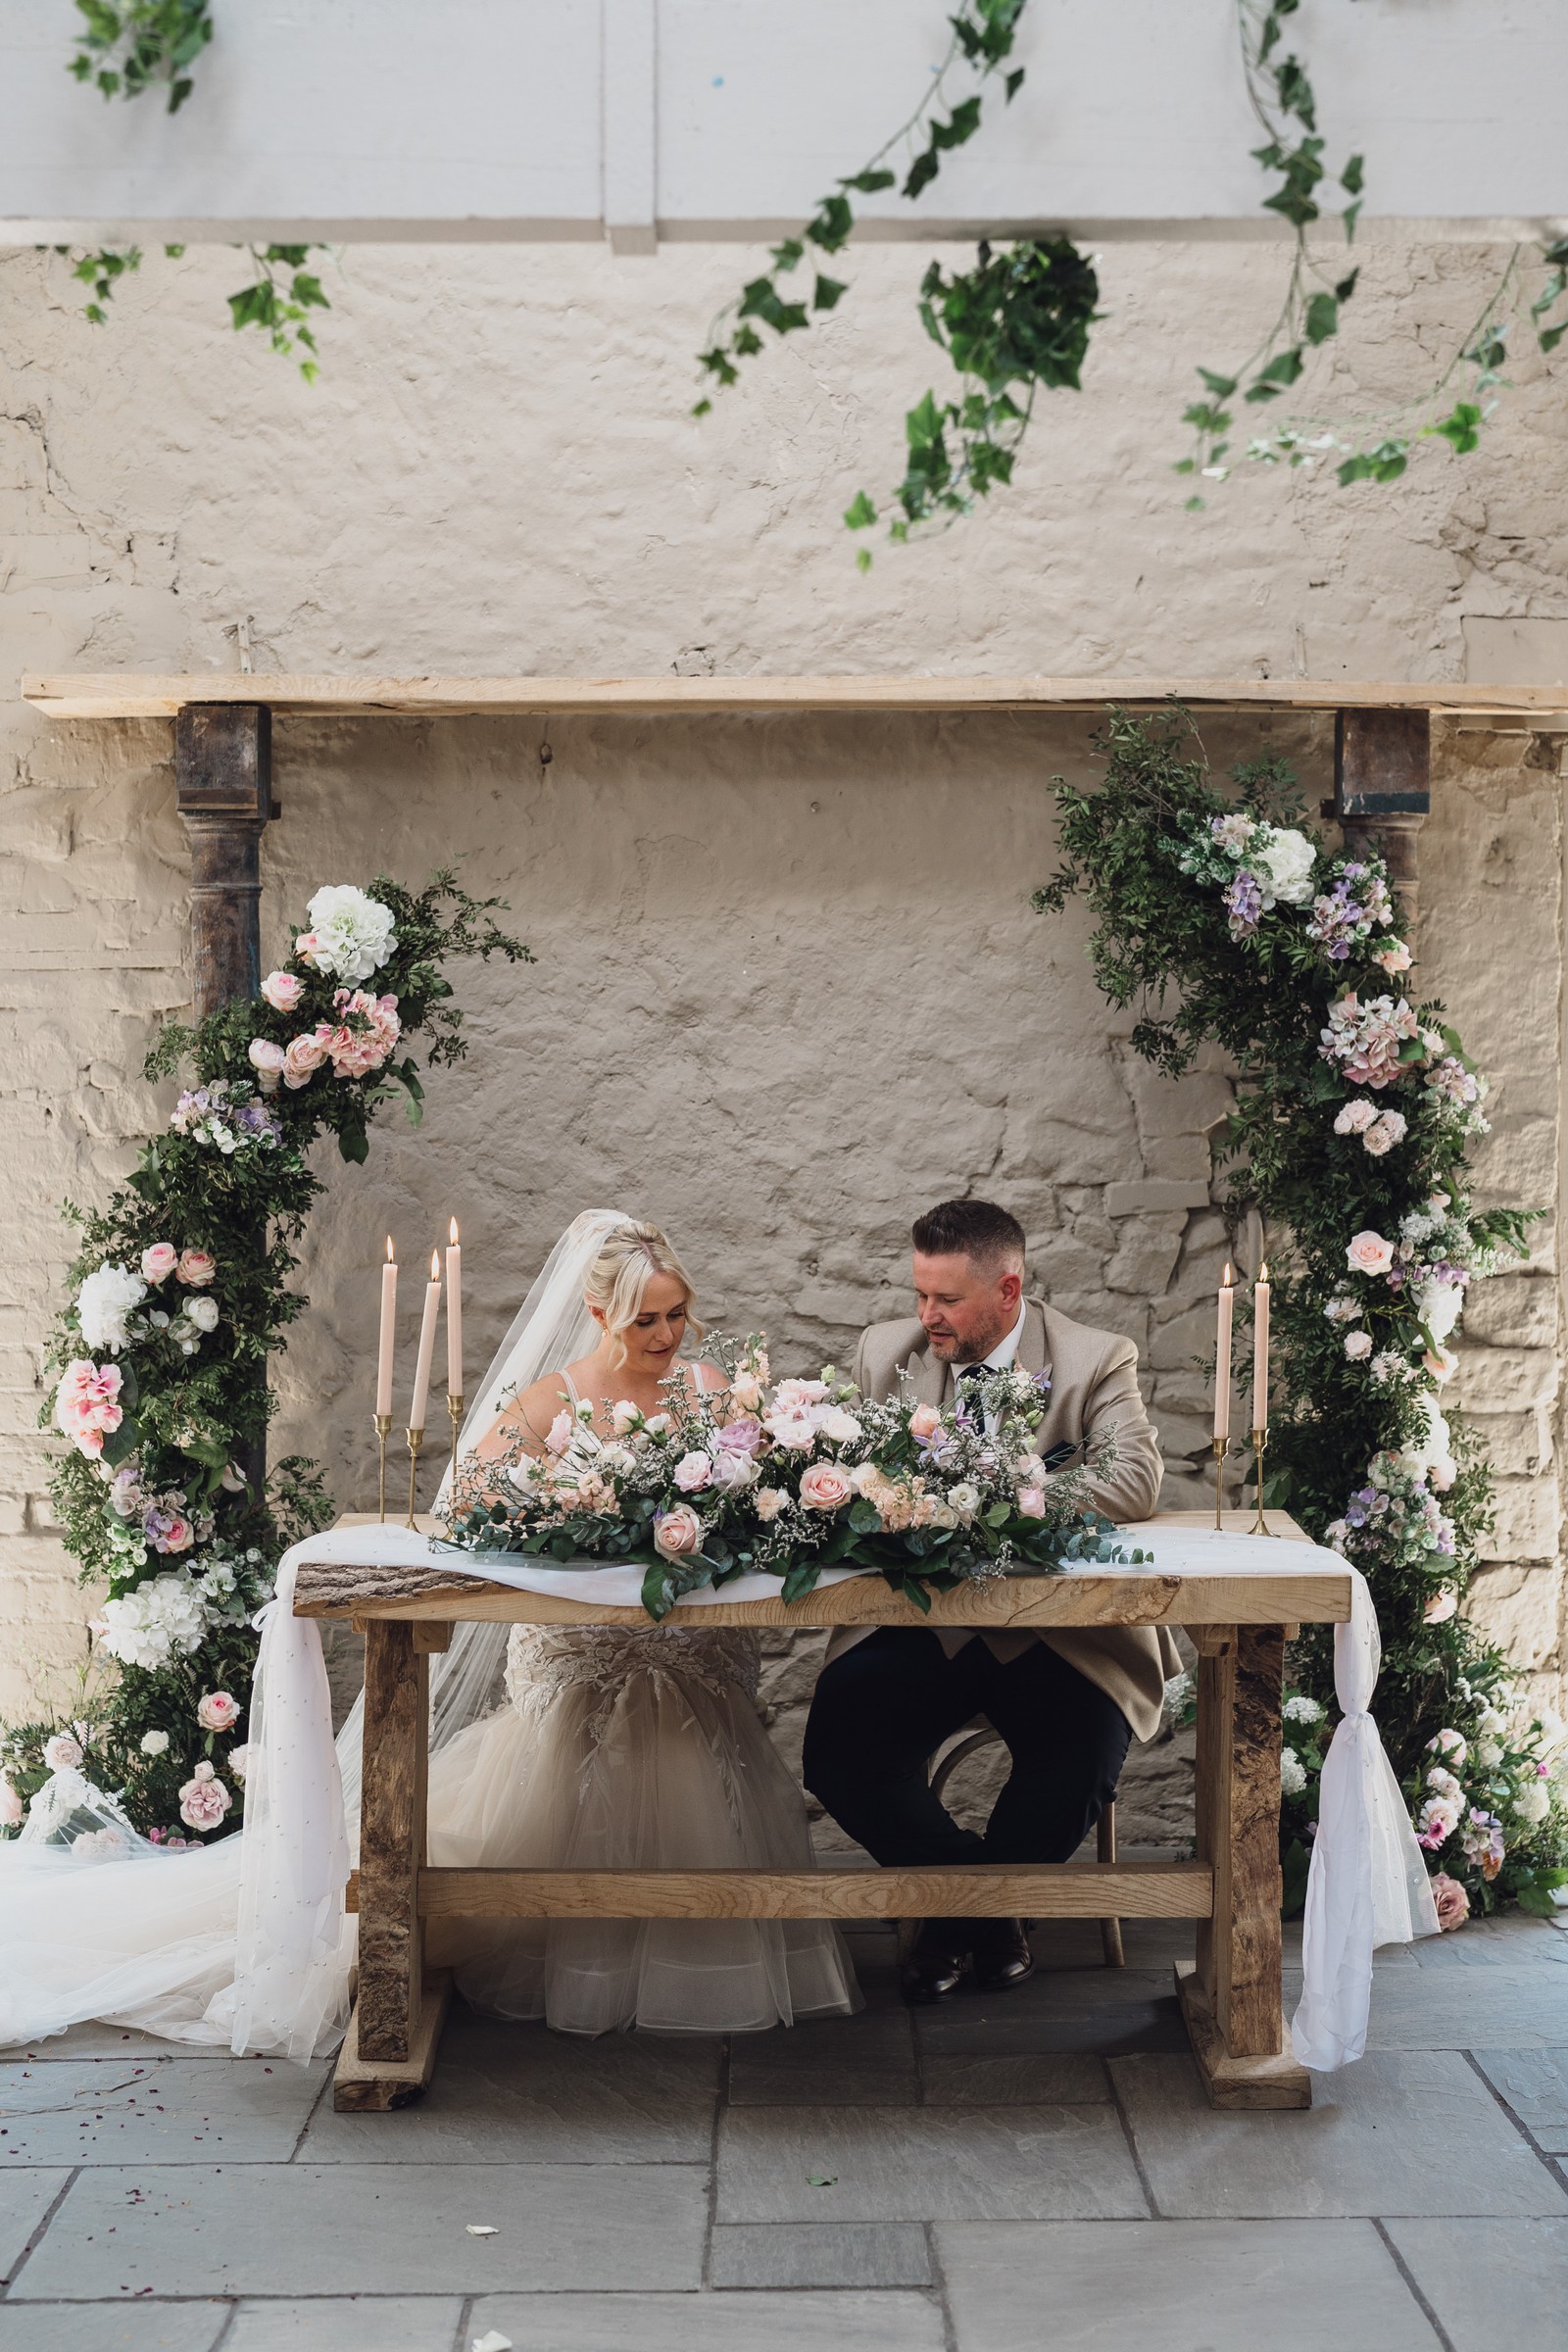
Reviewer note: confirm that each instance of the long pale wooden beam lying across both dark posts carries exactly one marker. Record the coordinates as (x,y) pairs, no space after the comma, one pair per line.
(128,697)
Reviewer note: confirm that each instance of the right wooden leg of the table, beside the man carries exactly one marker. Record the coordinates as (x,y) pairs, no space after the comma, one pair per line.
(1233,1996)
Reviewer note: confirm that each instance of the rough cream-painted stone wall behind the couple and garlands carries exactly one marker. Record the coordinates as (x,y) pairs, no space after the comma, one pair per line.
(789,980)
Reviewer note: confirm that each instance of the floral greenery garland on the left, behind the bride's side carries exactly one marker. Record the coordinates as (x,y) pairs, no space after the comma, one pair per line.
(177,1297)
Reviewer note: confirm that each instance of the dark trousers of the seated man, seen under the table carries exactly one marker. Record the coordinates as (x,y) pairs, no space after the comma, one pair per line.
(890,1702)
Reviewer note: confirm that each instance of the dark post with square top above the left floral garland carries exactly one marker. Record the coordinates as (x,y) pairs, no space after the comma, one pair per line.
(225,775)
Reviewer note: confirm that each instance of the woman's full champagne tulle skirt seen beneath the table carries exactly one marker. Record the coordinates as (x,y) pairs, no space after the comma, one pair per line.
(631,1751)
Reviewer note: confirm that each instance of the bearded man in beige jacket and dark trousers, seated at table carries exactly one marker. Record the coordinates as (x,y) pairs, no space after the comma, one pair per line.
(1066,1702)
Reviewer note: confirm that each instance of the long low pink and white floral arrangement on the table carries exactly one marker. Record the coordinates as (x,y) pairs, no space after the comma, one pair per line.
(789,1481)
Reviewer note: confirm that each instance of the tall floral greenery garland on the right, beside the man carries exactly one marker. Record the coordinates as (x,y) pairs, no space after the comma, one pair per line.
(1233,923)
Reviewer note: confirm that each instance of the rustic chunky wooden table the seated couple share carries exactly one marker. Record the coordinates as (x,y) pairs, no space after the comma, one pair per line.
(1231,1996)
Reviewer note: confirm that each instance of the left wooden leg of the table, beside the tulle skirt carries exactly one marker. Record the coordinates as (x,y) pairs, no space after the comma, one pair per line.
(389,2052)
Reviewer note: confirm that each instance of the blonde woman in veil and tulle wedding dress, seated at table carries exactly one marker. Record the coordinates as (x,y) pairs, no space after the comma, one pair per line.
(619,1749)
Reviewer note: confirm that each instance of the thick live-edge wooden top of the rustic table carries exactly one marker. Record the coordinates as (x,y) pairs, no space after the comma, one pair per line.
(1137,1596)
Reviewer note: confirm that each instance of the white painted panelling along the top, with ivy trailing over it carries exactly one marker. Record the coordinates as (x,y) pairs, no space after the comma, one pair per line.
(728,119)
